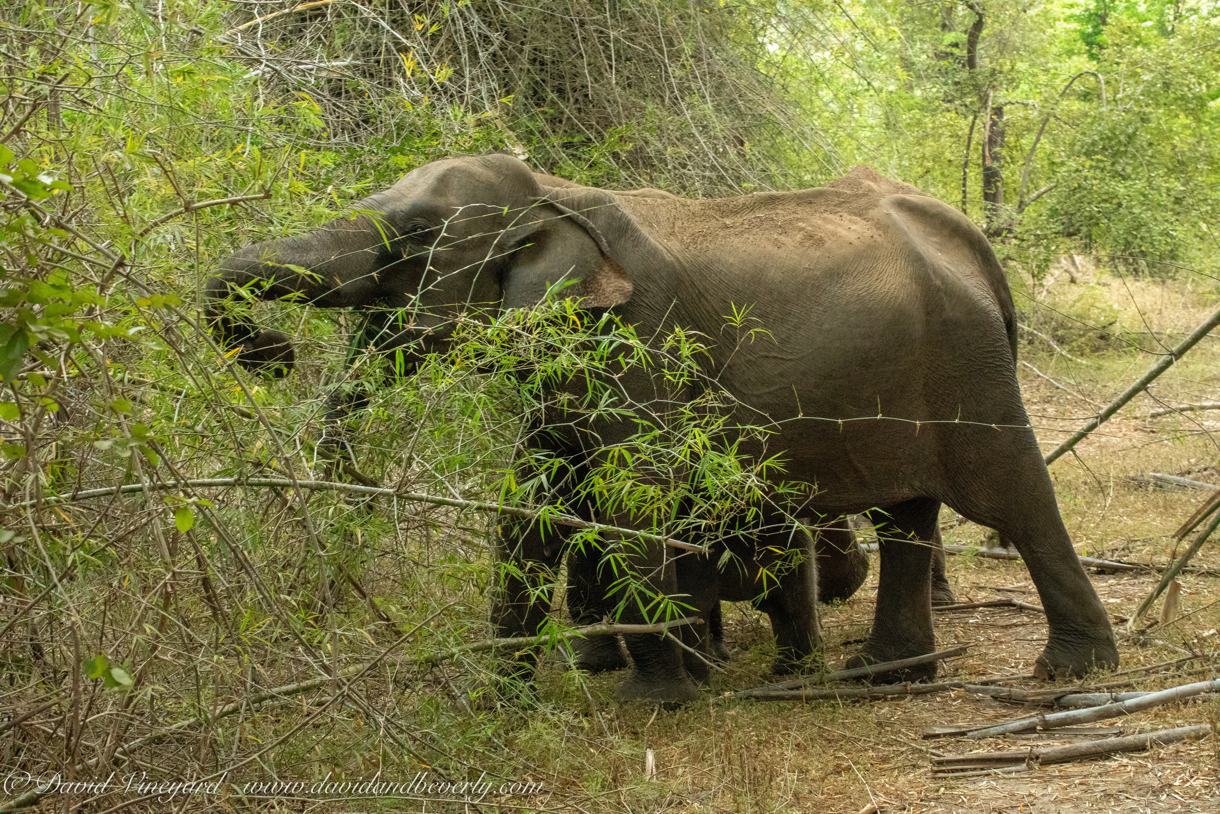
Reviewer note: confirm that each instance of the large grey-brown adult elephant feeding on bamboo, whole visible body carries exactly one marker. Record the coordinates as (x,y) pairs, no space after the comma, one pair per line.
(888,366)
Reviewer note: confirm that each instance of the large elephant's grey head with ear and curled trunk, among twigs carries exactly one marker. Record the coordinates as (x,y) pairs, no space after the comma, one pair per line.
(453,236)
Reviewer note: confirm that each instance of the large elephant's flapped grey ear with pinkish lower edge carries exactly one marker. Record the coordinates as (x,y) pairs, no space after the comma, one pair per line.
(562,246)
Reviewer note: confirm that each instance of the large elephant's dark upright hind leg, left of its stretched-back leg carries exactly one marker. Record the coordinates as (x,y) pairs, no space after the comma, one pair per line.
(902,625)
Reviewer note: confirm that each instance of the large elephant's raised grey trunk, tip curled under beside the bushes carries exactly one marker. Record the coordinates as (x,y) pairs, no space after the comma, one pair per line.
(335,267)
